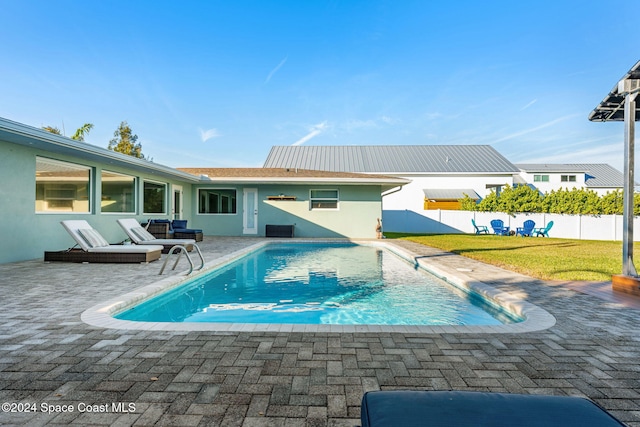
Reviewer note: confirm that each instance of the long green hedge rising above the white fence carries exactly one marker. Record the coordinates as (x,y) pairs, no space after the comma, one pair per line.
(525,199)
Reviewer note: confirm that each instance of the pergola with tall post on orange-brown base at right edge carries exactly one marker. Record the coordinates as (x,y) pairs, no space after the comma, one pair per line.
(620,105)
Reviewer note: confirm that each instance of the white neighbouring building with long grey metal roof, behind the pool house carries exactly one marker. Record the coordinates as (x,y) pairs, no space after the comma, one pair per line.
(440,174)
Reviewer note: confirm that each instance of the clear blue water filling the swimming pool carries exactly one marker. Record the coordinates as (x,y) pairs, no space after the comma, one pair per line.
(298,283)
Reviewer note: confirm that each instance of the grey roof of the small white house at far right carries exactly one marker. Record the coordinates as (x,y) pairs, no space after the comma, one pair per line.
(598,174)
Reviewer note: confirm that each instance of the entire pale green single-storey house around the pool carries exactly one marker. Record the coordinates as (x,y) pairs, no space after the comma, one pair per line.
(48,178)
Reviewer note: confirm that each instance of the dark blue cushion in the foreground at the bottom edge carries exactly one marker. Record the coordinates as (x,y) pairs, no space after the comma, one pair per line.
(476,409)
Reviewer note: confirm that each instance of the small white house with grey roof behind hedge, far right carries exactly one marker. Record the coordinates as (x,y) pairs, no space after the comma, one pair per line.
(598,177)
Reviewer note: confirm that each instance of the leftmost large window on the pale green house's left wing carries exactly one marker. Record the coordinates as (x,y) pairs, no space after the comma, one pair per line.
(62,187)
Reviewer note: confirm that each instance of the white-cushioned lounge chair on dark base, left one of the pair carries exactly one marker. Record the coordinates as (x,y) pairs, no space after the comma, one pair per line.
(94,247)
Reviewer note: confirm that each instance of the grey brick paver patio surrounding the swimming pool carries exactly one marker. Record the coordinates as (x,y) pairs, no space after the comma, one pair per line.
(50,358)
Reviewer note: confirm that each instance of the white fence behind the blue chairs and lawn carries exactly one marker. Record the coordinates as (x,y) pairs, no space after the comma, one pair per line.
(586,227)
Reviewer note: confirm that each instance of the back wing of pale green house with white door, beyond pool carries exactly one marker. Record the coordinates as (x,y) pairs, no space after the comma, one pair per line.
(243,201)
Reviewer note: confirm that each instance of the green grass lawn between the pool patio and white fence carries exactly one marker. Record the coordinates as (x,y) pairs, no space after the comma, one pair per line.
(540,257)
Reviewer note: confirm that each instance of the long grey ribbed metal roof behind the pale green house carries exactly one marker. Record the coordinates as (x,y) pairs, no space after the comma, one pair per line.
(395,159)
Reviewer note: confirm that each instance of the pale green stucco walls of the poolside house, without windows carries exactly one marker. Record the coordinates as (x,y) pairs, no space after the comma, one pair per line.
(27,234)
